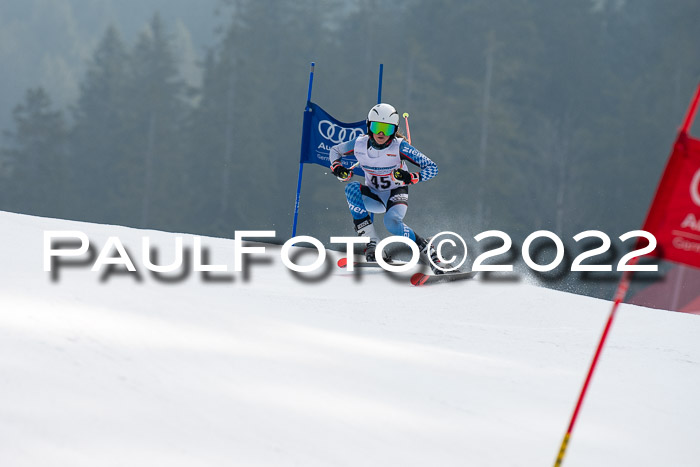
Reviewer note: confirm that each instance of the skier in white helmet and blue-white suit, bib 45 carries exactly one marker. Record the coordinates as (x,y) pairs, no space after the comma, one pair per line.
(382,154)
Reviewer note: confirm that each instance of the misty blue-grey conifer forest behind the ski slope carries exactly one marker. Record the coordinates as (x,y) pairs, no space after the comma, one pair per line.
(186,116)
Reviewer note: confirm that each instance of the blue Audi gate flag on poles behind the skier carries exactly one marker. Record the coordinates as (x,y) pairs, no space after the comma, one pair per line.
(321,132)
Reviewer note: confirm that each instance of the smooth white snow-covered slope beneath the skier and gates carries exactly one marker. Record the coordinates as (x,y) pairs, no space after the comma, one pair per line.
(279,371)
